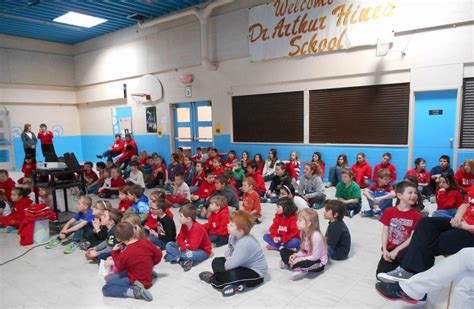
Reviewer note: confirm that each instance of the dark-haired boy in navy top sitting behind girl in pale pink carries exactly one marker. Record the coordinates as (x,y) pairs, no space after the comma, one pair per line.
(338,237)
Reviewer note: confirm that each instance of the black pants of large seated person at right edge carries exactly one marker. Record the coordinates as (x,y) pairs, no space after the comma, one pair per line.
(433,237)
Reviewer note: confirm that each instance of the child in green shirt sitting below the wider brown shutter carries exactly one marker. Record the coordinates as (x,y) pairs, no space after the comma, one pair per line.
(348,192)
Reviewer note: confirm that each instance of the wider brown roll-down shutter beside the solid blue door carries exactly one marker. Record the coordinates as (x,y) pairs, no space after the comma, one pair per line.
(360,115)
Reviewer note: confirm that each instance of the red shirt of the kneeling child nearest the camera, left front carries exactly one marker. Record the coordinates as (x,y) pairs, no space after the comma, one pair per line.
(138,260)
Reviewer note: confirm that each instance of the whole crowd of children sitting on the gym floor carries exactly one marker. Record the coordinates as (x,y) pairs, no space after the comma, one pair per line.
(210,188)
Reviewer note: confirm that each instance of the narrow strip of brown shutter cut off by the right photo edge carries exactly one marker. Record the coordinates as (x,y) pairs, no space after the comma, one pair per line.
(467,122)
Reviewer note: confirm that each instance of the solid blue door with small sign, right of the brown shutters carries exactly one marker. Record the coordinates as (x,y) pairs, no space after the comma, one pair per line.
(435,125)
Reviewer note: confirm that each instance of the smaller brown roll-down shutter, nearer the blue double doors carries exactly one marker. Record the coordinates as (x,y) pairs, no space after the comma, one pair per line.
(268,118)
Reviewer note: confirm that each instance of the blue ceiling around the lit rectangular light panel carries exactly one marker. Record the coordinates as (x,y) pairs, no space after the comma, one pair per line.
(34,18)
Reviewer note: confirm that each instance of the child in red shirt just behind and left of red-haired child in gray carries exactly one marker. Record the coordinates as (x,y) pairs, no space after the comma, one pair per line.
(217,221)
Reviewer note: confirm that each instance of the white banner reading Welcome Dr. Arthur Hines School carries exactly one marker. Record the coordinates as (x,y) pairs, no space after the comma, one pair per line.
(292,28)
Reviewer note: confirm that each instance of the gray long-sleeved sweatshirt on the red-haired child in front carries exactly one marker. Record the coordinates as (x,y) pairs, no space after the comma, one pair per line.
(246,252)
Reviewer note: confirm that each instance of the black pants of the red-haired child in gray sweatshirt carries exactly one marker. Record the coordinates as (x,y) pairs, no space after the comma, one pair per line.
(236,276)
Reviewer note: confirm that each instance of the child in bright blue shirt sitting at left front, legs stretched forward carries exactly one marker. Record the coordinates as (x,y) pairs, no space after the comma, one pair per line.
(80,227)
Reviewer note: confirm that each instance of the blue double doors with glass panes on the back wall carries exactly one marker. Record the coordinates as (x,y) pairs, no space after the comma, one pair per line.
(193,125)
